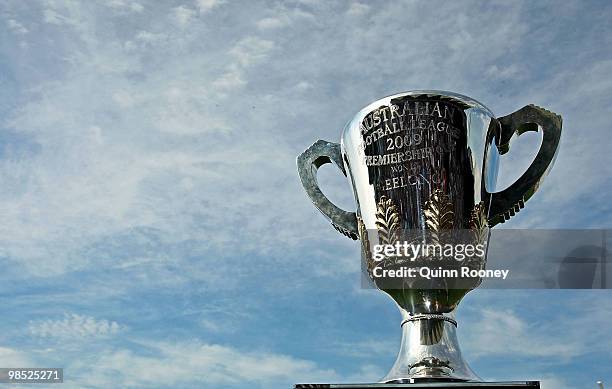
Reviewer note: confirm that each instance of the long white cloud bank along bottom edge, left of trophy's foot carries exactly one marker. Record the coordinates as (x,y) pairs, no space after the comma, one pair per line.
(171,364)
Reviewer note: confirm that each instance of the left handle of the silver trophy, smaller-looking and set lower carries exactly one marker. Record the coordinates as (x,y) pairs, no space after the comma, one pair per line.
(317,155)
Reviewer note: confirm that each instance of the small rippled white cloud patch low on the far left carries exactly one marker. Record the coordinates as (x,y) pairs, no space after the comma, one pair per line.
(74,327)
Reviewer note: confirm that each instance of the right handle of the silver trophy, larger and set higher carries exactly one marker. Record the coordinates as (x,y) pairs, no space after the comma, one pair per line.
(506,203)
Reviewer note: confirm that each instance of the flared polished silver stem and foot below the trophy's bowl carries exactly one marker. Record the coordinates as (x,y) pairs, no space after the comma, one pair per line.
(429,351)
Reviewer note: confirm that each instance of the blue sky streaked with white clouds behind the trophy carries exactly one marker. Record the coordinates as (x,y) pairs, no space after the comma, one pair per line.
(154,232)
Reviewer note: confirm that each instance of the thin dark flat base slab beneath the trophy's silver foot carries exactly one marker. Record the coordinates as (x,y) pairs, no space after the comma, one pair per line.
(424,385)
